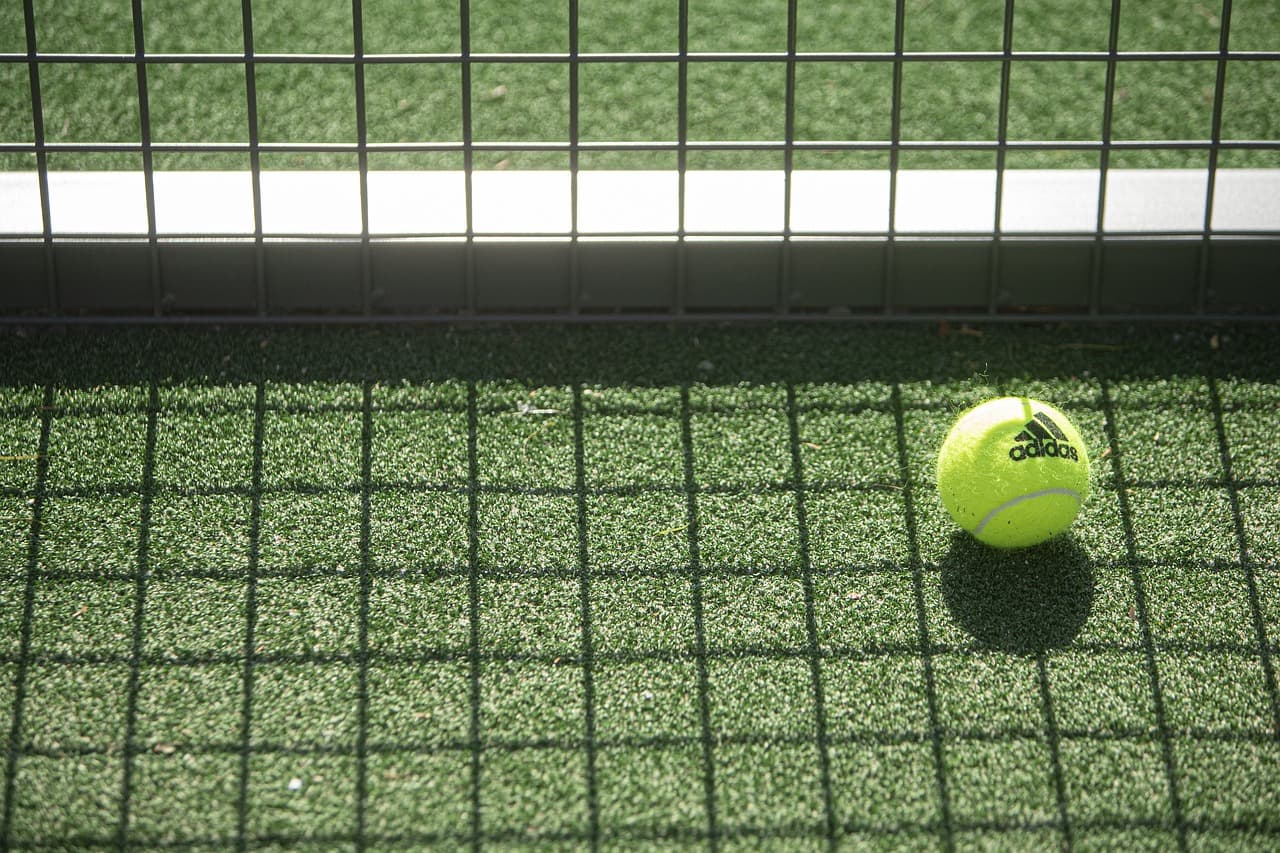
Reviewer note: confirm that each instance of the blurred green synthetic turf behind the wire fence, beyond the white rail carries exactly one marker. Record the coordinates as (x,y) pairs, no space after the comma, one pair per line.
(636,103)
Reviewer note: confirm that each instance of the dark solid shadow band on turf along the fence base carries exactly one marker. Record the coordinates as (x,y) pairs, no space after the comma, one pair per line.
(633,357)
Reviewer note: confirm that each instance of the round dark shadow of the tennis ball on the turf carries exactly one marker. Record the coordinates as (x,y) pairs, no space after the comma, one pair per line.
(1022,601)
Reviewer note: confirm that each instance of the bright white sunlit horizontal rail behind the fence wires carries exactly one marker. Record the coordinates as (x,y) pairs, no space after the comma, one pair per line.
(644,203)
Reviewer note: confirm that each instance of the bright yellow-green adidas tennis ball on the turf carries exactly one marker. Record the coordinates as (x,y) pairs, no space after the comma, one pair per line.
(1013,472)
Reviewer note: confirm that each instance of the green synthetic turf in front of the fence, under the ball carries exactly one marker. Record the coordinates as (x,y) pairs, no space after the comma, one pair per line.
(629,589)
